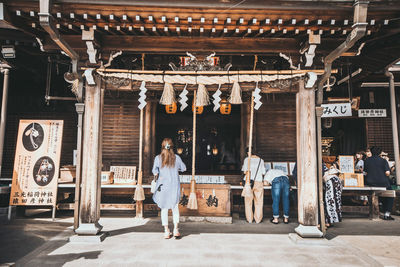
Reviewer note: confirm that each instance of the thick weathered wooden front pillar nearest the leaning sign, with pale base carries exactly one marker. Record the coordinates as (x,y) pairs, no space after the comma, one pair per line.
(91,161)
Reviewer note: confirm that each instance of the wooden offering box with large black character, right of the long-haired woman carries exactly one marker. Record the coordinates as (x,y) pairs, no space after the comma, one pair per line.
(212,200)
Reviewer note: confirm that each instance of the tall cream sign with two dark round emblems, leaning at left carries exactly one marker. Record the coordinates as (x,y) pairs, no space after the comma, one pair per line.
(37,163)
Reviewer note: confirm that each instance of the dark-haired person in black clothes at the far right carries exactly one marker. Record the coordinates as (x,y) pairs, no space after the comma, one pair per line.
(378,170)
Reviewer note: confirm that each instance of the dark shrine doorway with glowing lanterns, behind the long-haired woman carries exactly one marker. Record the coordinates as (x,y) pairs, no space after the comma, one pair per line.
(218,138)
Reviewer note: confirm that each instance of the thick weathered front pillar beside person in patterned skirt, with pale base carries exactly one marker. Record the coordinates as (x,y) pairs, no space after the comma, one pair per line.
(307,163)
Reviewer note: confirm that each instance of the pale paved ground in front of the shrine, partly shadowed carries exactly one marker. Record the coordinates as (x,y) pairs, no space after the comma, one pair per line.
(37,241)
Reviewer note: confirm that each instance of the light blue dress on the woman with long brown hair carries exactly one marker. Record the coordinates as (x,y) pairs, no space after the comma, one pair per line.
(168,189)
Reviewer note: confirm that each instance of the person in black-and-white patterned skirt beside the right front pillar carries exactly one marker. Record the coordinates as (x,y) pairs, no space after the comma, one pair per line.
(332,196)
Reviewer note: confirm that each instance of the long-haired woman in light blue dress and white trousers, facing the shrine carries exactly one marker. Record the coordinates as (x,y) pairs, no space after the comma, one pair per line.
(166,167)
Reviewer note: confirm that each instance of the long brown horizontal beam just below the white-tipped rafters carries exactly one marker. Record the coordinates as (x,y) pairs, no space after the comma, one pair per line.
(175,44)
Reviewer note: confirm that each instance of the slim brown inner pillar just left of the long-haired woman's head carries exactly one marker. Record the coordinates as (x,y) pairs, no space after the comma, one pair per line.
(147,161)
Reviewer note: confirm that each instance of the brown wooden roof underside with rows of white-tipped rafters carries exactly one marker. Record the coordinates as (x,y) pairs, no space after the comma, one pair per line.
(224,26)
